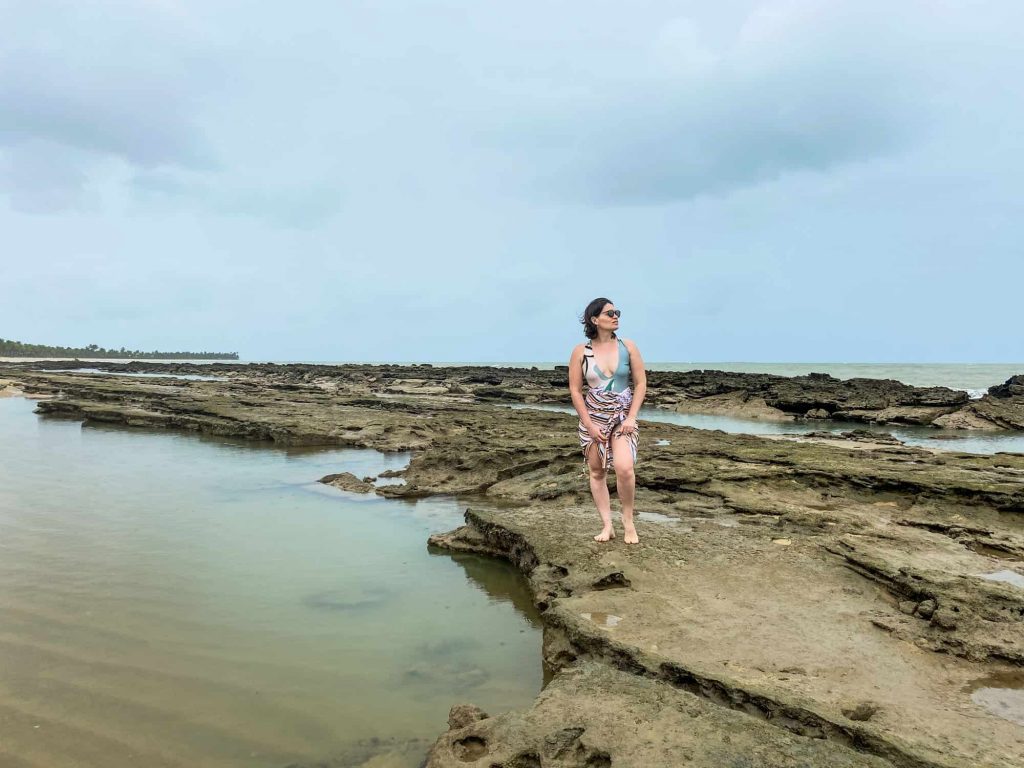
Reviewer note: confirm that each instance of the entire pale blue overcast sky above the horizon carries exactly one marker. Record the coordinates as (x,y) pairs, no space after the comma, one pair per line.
(764,181)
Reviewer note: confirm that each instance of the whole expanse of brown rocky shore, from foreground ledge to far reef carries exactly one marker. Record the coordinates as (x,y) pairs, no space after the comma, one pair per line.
(792,604)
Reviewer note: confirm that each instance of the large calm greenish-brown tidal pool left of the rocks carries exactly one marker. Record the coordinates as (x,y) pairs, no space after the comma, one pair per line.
(170,601)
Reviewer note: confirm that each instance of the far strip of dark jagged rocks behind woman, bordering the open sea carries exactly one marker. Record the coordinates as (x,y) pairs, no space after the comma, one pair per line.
(816,397)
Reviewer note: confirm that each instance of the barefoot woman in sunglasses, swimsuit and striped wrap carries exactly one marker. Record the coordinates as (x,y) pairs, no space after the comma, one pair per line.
(609,432)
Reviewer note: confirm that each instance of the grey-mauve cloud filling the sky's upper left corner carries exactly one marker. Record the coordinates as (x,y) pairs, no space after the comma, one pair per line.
(112,81)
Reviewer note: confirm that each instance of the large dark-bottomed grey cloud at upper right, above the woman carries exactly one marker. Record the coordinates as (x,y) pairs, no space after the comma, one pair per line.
(800,88)
